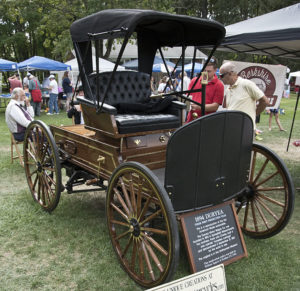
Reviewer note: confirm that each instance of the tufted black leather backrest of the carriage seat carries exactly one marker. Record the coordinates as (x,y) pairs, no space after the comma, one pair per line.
(126,87)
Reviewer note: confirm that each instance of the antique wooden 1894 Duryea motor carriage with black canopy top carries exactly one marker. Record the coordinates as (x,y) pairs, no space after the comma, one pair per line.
(154,167)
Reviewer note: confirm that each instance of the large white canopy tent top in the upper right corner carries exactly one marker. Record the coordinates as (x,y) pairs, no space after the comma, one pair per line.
(276,33)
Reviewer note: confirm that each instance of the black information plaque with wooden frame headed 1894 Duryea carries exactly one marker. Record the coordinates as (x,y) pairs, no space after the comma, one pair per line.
(213,236)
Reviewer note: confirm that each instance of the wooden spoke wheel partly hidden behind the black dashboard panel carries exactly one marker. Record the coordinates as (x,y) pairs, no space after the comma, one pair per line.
(268,202)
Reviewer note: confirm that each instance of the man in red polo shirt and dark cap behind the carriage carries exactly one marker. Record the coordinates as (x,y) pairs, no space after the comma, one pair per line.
(214,92)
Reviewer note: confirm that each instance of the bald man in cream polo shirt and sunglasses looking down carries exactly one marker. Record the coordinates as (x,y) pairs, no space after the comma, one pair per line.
(242,94)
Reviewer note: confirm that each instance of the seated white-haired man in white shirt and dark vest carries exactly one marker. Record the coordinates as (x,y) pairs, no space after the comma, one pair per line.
(17,116)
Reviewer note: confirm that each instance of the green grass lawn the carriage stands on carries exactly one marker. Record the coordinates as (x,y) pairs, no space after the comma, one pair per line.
(70,249)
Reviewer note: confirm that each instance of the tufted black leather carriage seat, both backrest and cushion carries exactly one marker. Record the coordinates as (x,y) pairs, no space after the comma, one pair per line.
(133,87)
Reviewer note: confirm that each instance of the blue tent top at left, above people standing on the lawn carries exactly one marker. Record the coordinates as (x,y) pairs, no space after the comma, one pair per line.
(42,63)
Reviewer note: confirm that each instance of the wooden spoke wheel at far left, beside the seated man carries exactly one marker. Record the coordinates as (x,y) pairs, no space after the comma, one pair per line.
(42,165)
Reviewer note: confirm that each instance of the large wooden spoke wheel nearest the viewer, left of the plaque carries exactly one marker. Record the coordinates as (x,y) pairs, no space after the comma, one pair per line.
(142,225)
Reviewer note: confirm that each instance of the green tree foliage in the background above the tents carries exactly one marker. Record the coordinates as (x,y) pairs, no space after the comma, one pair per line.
(41,27)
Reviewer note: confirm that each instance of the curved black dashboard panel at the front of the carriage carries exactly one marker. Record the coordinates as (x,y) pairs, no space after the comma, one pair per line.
(208,160)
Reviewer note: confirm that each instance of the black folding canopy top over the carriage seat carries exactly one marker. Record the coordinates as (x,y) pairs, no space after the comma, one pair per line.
(154,30)
